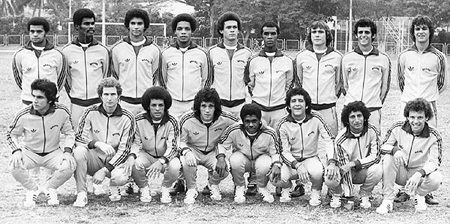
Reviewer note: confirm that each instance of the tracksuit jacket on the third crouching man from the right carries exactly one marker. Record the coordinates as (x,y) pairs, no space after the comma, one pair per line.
(299,141)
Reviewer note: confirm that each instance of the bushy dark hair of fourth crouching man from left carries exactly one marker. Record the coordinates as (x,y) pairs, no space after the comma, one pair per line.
(208,95)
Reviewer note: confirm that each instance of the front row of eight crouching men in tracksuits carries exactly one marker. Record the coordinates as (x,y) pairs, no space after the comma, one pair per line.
(112,143)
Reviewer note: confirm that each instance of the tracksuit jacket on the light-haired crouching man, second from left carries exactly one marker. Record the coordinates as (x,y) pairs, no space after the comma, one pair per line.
(116,130)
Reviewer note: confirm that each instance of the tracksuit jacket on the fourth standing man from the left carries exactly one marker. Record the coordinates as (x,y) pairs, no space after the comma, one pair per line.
(185,73)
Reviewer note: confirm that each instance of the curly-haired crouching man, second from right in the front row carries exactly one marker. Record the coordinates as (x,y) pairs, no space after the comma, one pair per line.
(357,151)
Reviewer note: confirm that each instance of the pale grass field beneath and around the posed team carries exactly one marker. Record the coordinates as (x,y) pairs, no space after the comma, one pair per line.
(131,210)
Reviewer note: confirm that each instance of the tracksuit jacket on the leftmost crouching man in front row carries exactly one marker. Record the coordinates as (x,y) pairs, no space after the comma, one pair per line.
(41,132)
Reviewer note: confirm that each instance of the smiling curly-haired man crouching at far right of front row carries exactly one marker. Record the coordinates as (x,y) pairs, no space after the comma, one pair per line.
(412,156)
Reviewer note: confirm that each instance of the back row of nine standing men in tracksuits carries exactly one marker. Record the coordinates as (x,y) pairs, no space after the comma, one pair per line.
(229,67)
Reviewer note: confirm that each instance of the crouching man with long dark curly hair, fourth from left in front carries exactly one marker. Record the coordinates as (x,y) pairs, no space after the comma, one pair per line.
(200,133)
